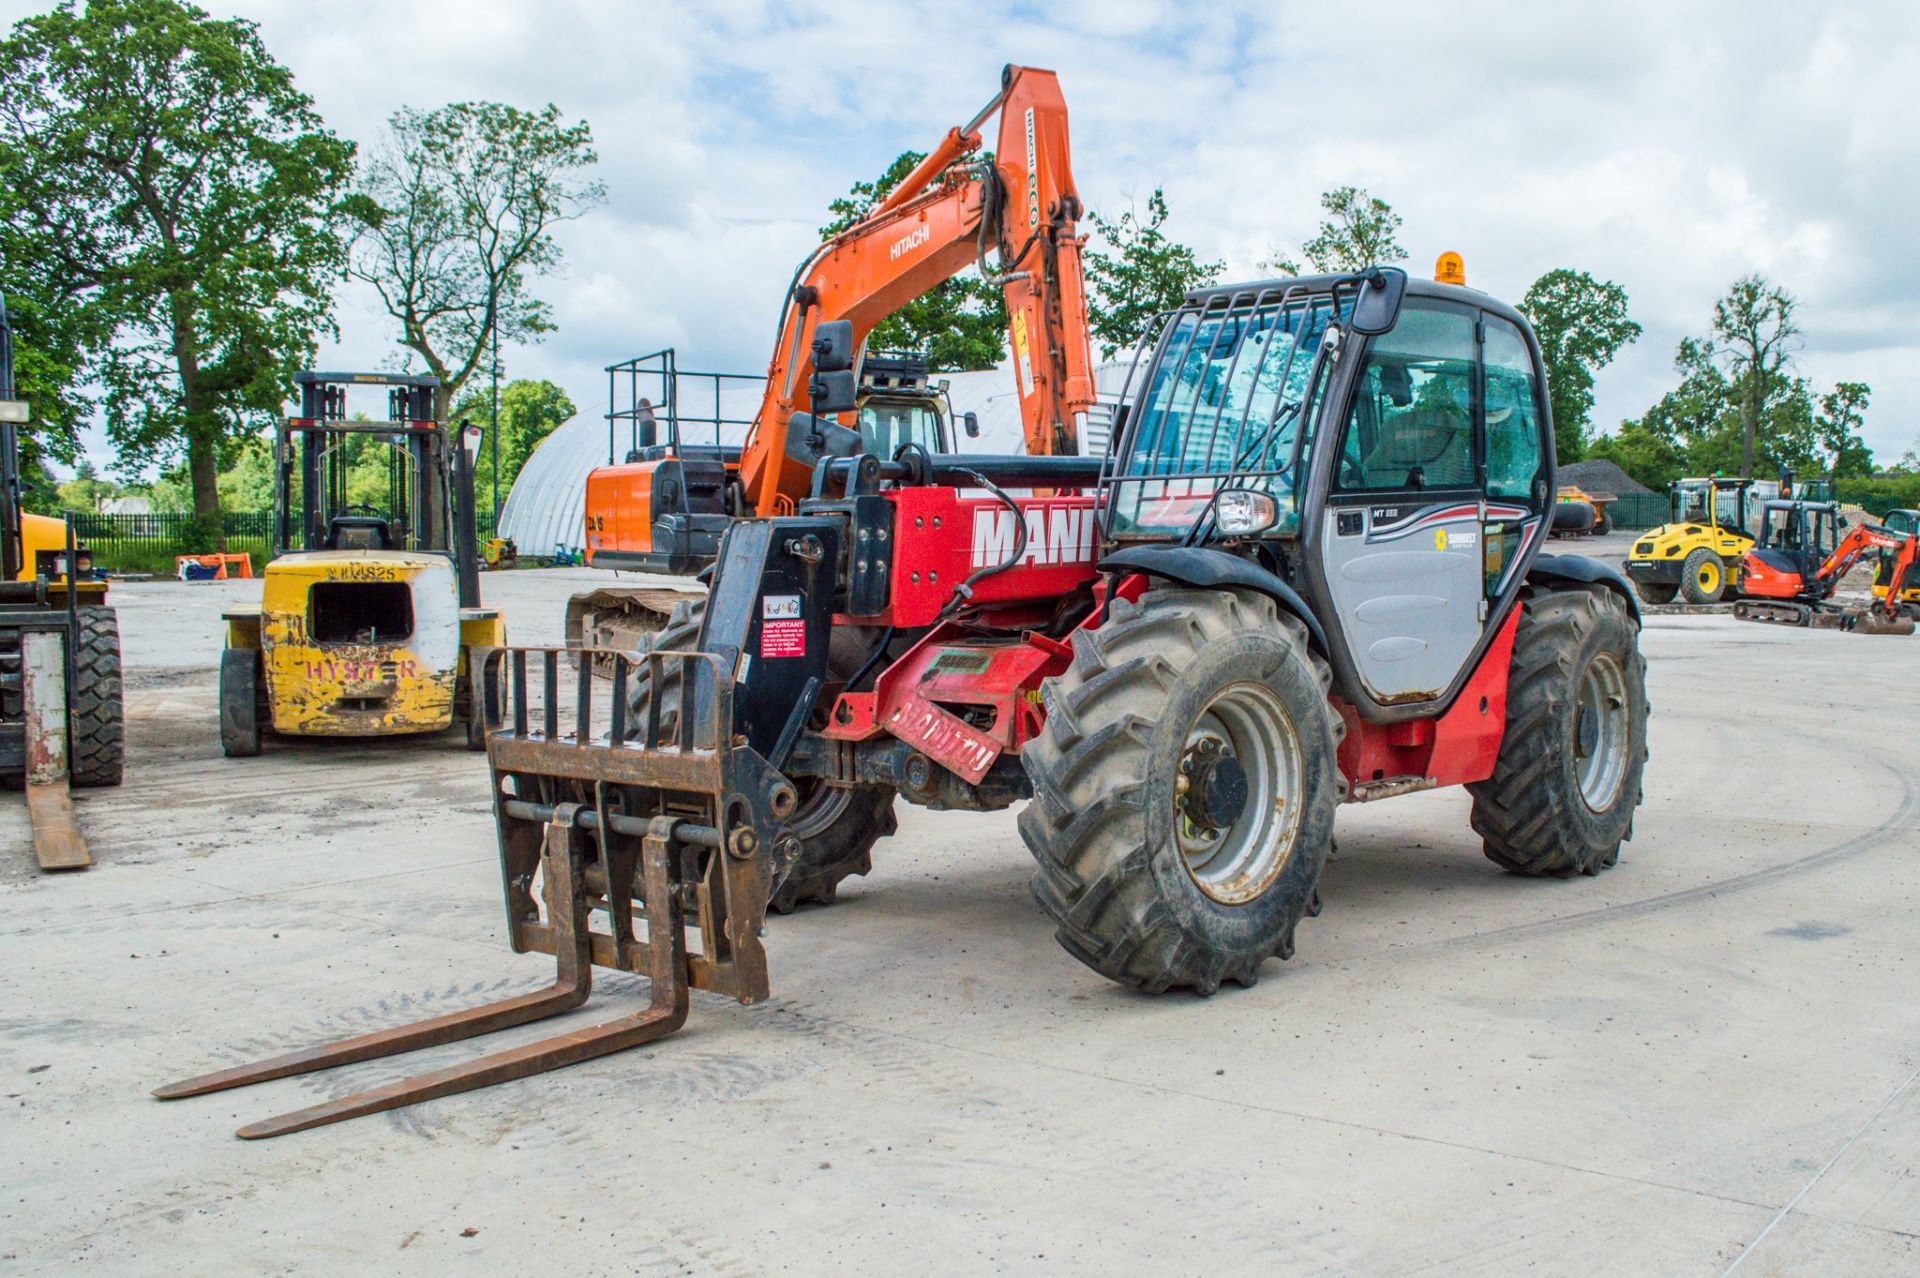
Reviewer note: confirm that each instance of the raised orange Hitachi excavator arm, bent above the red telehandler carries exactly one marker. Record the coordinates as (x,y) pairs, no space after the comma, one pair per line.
(1015,216)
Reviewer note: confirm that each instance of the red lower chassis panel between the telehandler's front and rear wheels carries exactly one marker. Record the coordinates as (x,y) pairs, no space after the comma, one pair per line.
(1452,749)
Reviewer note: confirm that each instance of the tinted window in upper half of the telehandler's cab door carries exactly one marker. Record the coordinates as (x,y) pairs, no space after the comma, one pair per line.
(1412,419)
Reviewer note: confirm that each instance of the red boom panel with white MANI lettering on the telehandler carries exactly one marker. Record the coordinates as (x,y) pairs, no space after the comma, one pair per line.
(944,538)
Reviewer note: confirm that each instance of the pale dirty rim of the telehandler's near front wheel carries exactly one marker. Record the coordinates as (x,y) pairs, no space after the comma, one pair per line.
(1247,747)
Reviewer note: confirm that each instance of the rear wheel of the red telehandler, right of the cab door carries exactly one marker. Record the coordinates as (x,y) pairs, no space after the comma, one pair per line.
(1568,780)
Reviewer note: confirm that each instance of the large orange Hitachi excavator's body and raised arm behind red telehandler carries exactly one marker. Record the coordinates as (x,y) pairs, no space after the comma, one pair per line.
(1013,216)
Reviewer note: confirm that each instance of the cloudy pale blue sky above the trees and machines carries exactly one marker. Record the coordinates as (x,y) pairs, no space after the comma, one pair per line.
(1668,147)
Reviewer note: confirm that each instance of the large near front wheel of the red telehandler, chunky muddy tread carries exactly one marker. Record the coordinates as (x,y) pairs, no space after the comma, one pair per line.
(1172,694)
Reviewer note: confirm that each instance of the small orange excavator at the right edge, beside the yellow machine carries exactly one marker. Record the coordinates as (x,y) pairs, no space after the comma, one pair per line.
(1798,563)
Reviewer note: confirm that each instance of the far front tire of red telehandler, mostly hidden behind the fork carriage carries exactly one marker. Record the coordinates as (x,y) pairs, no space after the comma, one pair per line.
(838,826)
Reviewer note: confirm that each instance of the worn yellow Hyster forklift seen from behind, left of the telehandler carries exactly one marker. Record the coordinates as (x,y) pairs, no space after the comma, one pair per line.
(372,607)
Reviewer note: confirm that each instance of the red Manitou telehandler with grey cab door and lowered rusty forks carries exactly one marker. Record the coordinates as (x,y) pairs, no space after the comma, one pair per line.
(1307,573)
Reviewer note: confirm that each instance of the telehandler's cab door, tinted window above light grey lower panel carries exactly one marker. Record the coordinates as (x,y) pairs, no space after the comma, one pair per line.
(1403,527)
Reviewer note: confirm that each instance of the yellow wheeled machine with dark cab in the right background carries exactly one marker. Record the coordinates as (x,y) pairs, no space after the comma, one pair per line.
(1696,554)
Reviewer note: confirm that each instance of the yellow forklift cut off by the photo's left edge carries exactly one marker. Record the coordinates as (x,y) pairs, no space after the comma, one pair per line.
(60,676)
